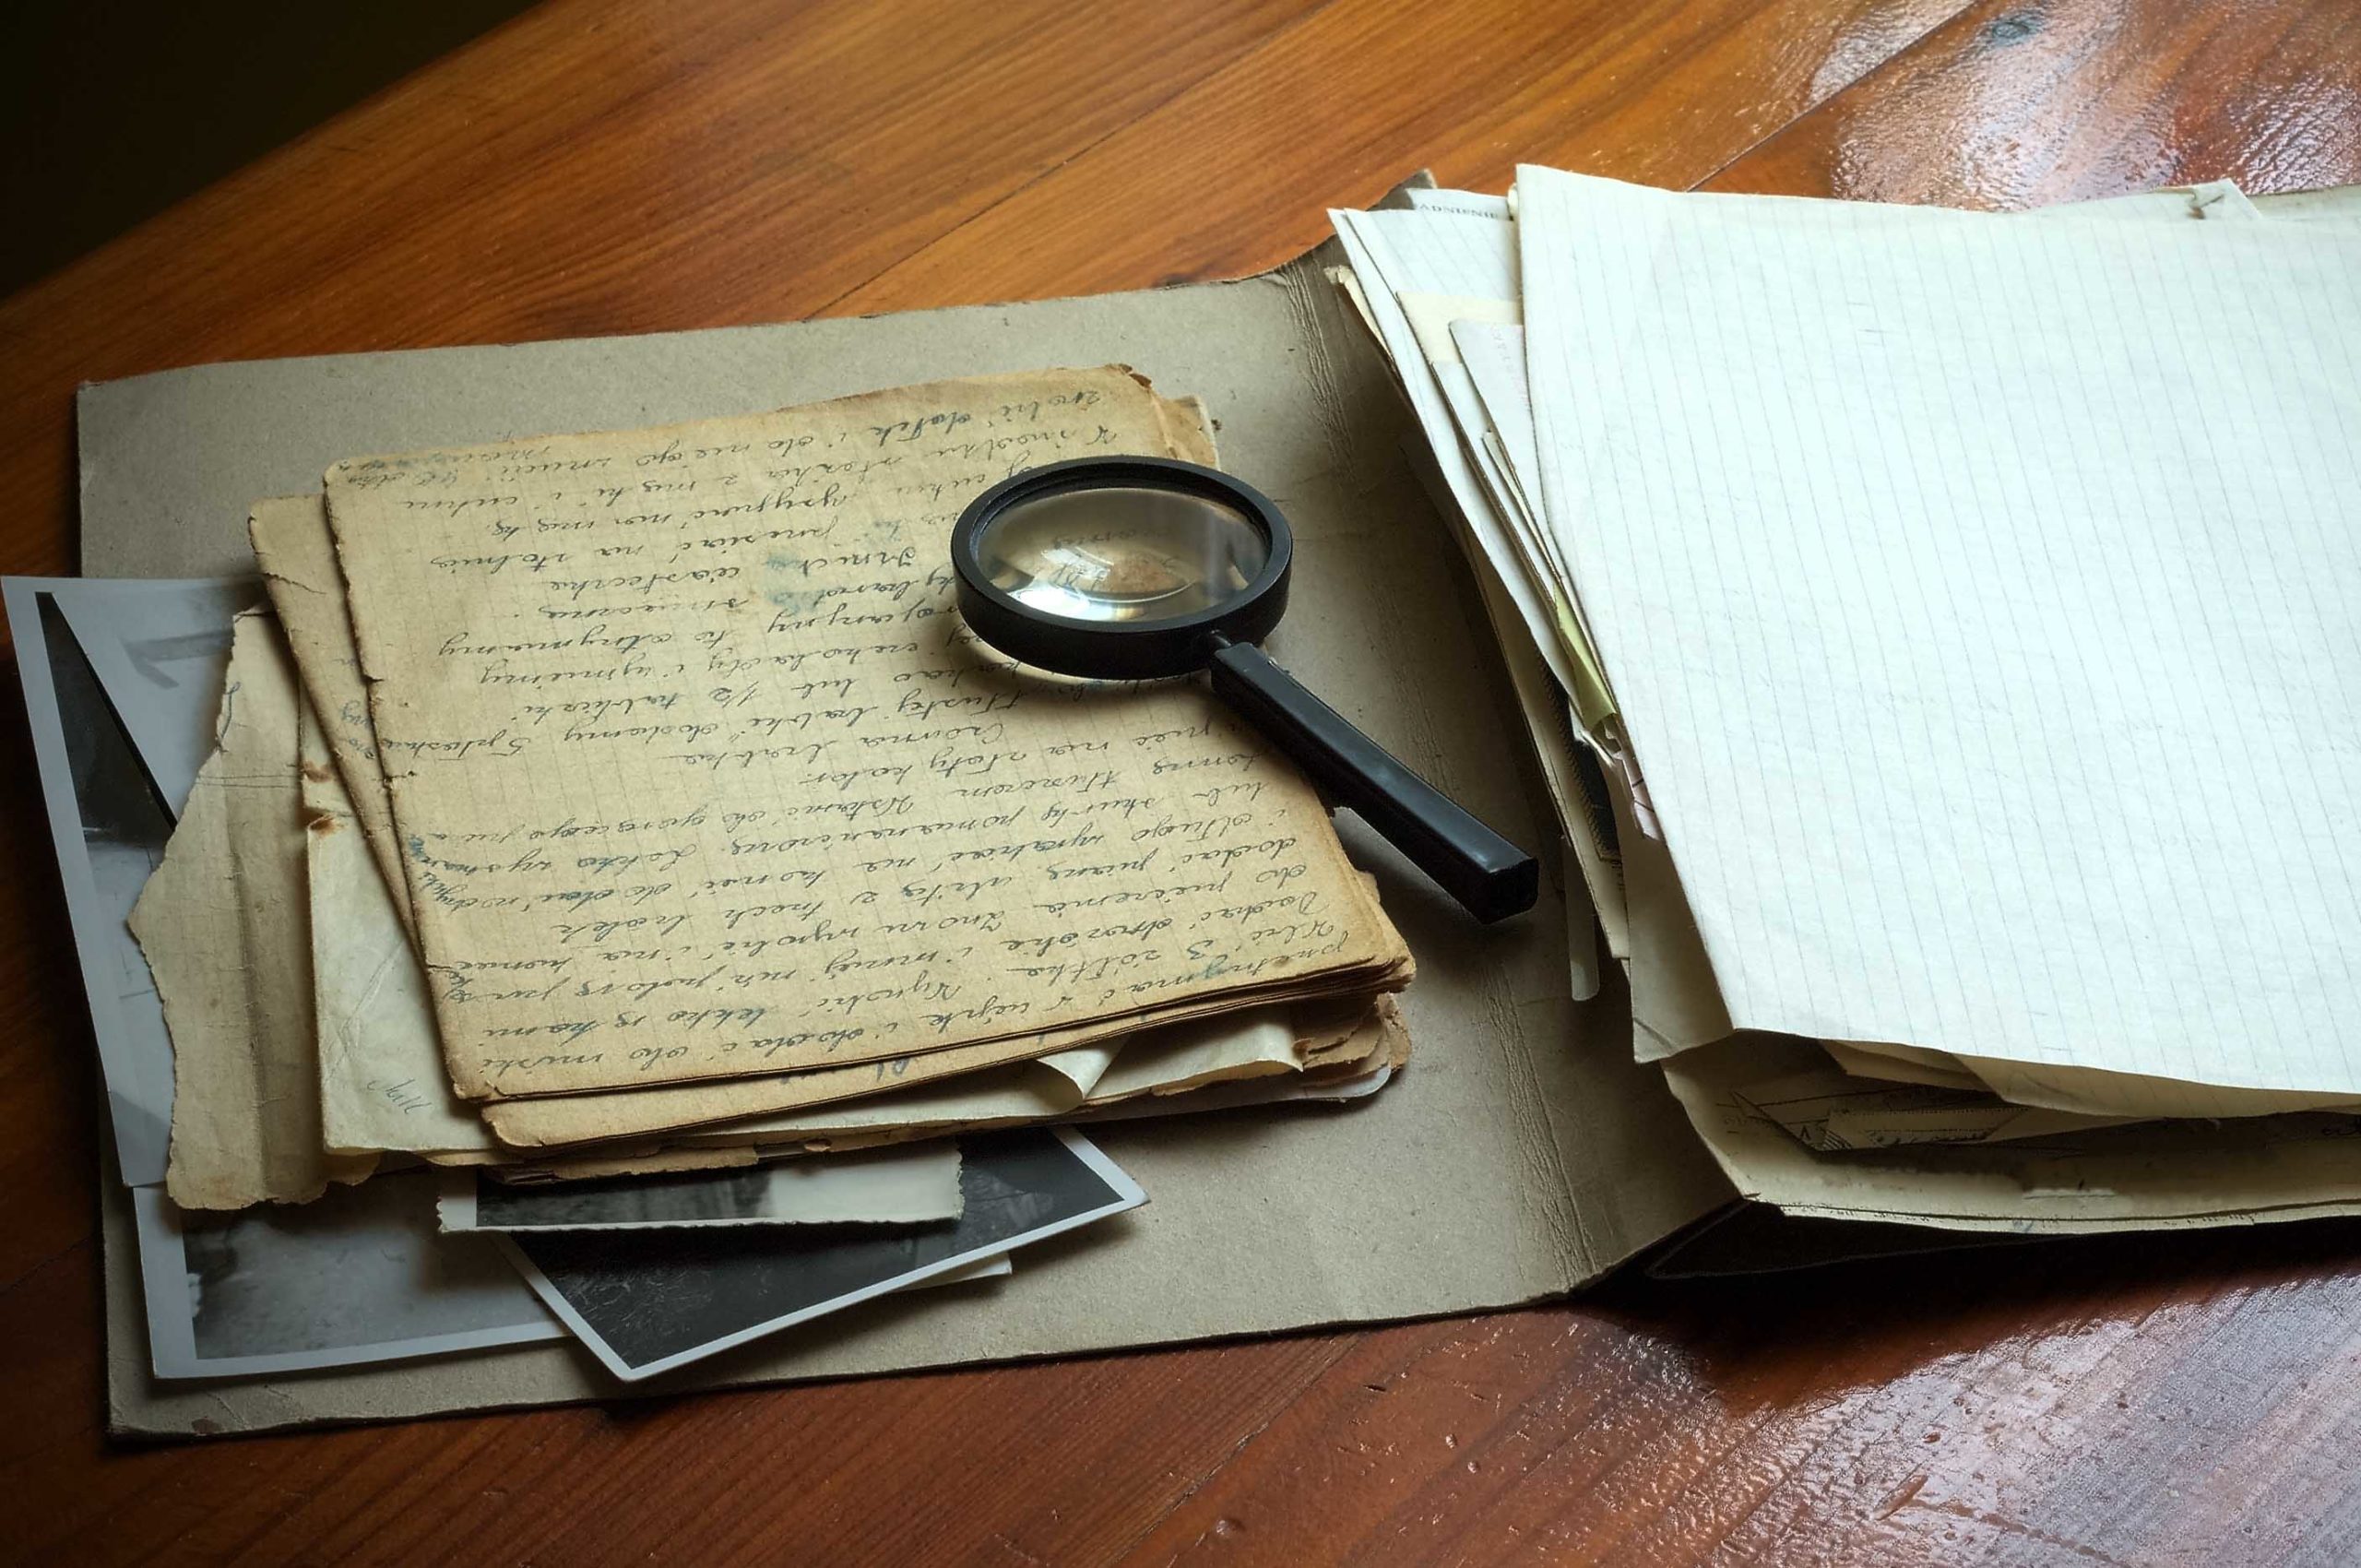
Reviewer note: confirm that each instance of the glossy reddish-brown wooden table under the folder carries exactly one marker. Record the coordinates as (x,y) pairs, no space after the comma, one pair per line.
(624,166)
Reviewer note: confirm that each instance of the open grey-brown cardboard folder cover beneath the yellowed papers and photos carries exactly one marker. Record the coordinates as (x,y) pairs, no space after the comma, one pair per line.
(1517,1158)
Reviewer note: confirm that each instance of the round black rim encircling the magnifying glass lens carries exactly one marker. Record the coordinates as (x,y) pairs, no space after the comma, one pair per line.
(1127,651)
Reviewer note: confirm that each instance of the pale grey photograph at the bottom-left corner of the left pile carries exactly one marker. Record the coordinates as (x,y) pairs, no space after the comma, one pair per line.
(351,1279)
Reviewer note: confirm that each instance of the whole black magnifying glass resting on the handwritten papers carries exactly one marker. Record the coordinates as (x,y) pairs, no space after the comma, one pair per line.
(1149,568)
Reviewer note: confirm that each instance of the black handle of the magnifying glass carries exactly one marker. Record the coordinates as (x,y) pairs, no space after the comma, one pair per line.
(1467,861)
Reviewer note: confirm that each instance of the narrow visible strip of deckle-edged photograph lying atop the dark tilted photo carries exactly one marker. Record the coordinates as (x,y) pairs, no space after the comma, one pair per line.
(896,1187)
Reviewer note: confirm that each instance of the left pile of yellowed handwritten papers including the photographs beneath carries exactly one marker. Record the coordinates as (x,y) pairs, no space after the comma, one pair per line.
(629,830)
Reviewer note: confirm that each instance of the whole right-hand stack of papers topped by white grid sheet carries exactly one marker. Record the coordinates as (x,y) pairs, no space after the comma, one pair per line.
(1940,636)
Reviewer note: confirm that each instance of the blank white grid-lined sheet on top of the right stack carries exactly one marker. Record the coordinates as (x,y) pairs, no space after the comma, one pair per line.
(1982,601)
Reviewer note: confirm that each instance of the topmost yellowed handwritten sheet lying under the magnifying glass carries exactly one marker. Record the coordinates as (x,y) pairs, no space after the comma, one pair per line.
(700,776)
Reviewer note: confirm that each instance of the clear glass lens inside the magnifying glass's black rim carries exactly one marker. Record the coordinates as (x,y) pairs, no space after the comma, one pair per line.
(1123,554)
